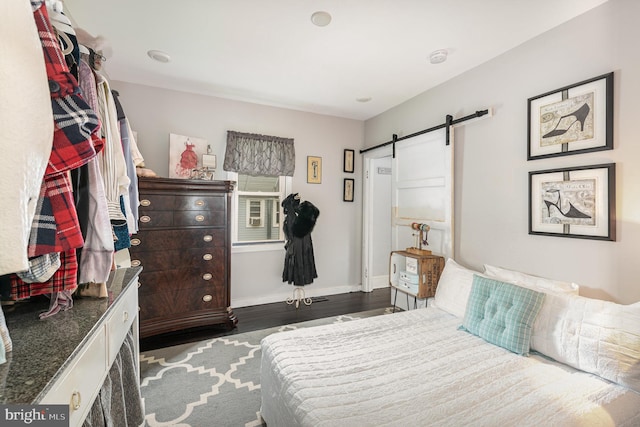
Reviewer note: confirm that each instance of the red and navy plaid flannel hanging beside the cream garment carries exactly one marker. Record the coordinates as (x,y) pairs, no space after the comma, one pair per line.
(55,227)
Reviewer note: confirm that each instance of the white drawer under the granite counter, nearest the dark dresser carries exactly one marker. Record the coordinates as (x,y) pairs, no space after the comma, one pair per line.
(119,322)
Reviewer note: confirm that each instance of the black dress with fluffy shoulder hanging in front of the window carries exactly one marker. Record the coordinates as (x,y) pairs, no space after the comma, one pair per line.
(299,262)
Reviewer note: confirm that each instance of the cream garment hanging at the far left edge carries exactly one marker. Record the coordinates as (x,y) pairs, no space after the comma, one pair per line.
(26,130)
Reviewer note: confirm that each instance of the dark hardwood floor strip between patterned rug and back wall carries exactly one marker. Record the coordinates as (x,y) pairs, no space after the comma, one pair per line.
(276,314)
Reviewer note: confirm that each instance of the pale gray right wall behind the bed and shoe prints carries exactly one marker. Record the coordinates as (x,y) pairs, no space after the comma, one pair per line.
(491,169)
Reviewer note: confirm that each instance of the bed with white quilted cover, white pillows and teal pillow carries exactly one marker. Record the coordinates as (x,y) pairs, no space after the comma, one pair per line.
(579,364)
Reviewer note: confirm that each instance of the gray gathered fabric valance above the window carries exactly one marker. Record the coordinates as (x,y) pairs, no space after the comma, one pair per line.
(263,155)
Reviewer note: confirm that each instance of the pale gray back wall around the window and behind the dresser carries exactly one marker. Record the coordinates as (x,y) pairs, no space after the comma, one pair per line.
(256,277)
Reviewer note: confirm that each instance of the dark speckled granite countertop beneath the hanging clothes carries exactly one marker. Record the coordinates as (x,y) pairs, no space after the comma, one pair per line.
(43,348)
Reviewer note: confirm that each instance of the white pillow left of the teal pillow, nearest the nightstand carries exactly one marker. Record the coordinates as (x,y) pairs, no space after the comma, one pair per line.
(454,287)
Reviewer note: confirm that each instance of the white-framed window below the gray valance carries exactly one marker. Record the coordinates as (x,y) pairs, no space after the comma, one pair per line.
(257,208)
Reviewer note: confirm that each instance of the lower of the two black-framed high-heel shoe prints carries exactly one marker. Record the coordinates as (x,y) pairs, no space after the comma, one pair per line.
(574,202)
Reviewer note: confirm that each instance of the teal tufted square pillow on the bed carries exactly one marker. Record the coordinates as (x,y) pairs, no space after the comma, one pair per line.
(502,313)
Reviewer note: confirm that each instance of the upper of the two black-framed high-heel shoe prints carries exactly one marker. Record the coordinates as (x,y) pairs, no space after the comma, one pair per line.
(573,119)
